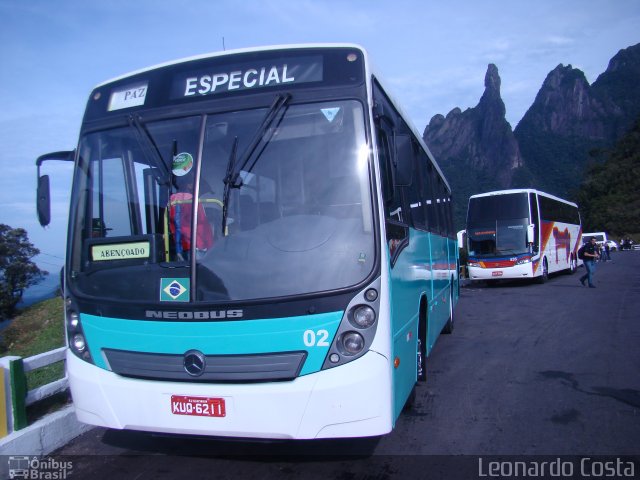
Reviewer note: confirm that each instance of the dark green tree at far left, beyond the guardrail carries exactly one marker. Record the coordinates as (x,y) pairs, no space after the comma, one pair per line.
(17,271)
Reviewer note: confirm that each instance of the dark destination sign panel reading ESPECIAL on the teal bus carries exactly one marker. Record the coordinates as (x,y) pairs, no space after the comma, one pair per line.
(246,76)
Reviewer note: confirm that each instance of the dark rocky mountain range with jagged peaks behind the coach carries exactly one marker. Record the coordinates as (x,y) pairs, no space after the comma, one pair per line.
(550,146)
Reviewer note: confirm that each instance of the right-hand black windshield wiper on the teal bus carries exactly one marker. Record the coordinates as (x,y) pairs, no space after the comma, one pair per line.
(263,136)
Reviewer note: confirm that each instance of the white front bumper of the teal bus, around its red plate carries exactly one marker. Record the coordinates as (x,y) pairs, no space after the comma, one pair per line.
(353,400)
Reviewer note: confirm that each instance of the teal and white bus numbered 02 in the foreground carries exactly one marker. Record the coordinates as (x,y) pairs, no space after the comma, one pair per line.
(324,265)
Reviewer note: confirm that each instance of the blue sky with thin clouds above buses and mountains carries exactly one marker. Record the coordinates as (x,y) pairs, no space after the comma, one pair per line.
(433,55)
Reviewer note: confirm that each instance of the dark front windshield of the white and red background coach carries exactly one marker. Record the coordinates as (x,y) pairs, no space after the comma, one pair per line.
(497,225)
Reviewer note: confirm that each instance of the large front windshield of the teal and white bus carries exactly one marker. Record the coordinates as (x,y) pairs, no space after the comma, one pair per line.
(295,216)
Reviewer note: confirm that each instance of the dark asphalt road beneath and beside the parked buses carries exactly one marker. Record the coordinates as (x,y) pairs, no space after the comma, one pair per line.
(530,371)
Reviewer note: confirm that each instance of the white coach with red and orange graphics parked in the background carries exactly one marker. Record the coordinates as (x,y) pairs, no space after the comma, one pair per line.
(521,233)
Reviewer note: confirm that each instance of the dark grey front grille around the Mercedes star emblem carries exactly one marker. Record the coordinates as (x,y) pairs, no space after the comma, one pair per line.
(219,368)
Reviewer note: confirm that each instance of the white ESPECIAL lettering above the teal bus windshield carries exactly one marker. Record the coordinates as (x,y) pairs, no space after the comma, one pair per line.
(237,79)
